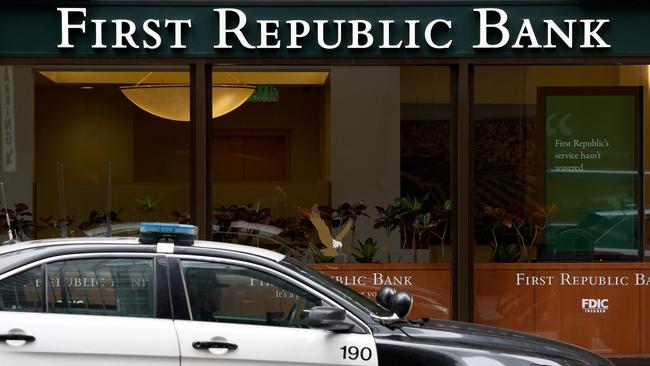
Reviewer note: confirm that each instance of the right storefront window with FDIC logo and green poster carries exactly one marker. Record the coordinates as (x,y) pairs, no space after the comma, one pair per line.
(558,203)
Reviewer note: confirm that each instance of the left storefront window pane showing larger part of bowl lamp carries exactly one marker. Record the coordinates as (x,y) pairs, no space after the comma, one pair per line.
(102,154)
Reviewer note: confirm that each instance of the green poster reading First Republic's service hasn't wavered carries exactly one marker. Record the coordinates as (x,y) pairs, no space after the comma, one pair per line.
(592,172)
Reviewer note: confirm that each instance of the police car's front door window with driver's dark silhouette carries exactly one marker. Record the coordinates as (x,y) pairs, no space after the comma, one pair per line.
(234,294)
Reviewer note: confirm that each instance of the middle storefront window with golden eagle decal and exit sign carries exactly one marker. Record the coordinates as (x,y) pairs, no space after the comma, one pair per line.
(355,154)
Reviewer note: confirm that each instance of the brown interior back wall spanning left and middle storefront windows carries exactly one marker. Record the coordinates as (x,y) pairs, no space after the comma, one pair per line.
(85,129)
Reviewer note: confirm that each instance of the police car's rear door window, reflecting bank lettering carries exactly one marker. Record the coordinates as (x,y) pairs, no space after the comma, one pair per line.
(107,286)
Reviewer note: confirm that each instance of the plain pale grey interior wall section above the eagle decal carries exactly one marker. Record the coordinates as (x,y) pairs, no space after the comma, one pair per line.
(365,120)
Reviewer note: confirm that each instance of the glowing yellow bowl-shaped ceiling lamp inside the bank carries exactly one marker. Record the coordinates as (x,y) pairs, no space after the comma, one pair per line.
(172,101)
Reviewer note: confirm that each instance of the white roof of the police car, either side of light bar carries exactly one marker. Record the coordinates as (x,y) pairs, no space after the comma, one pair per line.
(35,244)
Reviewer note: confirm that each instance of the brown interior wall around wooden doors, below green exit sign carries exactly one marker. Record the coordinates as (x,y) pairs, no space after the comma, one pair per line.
(299,112)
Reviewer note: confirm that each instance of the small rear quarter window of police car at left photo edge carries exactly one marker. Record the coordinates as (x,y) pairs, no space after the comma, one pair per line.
(22,292)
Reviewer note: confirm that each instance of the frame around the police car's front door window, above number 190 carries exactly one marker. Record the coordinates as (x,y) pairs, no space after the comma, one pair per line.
(360,327)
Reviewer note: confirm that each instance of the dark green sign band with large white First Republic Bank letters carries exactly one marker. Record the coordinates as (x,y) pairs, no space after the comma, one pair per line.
(322,31)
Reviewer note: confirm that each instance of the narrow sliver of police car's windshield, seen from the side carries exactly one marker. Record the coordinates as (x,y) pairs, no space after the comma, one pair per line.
(347,293)
